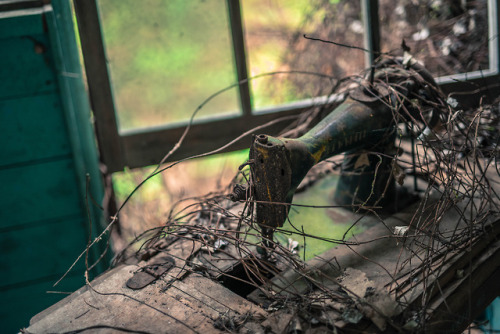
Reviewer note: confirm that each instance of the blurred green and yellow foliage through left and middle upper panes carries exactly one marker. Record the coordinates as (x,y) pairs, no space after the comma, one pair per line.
(166,57)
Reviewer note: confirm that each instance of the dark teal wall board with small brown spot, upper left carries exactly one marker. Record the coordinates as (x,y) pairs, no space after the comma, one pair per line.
(27,68)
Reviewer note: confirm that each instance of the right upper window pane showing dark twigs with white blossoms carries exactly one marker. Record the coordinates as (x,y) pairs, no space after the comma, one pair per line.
(448,37)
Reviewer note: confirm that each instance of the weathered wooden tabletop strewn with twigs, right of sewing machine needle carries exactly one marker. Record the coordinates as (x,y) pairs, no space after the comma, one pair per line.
(423,269)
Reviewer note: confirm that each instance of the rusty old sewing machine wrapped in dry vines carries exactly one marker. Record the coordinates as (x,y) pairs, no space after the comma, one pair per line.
(365,122)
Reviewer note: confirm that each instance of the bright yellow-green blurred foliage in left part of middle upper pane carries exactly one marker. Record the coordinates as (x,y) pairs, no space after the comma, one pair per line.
(268,36)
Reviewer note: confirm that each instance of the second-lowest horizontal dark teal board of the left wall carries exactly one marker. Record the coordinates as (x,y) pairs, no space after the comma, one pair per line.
(42,250)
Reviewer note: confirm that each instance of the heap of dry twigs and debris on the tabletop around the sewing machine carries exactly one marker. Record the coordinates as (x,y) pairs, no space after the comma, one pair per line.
(392,277)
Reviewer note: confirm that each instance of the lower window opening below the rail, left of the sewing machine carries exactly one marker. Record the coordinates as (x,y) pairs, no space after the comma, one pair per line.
(150,205)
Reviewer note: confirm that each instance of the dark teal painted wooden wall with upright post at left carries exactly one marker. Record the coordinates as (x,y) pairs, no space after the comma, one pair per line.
(47,148)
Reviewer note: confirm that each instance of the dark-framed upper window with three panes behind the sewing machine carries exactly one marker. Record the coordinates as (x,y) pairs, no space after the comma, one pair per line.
(148,70)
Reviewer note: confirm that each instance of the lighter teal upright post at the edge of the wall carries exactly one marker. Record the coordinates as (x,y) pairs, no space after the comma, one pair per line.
(77,112)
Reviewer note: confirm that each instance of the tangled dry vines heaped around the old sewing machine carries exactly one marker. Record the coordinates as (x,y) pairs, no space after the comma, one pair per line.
(454,167)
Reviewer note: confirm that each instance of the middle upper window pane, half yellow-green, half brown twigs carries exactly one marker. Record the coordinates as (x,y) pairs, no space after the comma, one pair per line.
(274,39)
